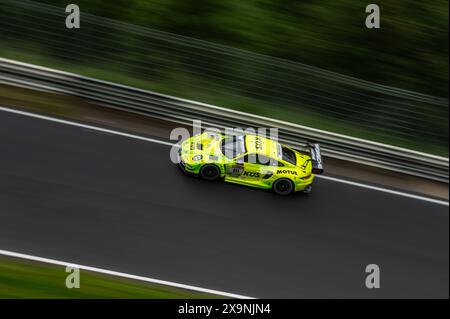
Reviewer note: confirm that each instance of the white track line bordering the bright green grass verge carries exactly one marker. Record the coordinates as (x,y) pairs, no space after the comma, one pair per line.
(122,275)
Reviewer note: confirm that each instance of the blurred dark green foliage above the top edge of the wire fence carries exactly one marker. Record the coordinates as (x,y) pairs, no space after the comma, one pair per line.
(409,51)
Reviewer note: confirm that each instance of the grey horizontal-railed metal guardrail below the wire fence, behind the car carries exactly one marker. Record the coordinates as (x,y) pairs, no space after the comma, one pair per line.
(183,111)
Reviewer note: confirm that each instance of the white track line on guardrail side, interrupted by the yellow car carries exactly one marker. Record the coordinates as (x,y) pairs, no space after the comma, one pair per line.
(95,128)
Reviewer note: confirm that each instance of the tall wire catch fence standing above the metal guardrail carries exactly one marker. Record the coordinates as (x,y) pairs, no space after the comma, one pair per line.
(222,75)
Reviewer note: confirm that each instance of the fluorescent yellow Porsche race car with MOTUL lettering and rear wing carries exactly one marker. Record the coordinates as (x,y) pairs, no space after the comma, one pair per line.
(250,160)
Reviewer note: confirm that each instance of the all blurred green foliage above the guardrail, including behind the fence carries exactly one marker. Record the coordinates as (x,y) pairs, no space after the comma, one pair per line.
(410,51)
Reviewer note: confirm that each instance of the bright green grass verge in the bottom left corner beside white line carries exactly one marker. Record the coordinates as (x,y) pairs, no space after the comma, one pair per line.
(33,280)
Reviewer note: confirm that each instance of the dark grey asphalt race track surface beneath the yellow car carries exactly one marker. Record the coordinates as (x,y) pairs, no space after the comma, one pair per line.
(118,203)
